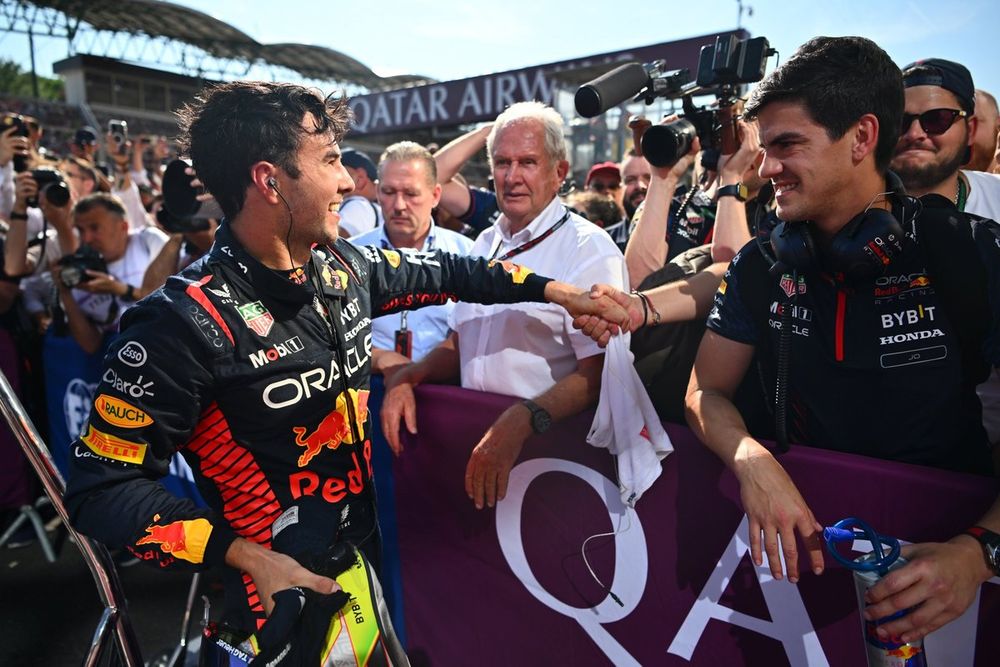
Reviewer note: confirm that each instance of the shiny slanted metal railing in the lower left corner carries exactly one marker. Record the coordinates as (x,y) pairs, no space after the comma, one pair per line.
(114,625)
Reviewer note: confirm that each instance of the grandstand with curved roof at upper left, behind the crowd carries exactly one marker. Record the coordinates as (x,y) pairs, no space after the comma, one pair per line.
(140,60)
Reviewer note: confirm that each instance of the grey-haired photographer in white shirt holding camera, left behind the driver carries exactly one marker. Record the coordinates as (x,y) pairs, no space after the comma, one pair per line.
(104,277)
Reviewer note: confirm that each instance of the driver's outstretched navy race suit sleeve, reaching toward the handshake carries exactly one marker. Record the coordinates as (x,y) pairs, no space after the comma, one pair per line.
(403,280)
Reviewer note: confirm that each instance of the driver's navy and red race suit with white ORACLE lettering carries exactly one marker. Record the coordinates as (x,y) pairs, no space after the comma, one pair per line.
(238,367)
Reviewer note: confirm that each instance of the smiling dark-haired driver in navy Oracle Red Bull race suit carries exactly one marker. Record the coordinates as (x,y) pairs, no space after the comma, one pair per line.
(254,362)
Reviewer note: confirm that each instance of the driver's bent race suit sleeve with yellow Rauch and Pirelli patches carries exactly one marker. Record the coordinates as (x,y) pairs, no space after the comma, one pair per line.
(154,385)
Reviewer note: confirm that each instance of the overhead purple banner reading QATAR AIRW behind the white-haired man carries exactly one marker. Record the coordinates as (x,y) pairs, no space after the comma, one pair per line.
(483,97)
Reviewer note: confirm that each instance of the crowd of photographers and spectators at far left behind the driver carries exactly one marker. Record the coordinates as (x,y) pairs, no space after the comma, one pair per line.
(81,243)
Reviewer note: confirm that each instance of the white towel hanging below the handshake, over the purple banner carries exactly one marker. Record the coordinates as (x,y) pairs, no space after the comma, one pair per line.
(627,424)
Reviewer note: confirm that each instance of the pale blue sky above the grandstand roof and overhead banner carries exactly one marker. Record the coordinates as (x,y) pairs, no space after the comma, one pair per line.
(452,40)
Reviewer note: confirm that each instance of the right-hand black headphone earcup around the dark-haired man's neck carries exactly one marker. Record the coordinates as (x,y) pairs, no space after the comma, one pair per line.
(866,245)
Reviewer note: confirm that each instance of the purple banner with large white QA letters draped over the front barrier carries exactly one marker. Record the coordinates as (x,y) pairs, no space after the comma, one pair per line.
(508,586)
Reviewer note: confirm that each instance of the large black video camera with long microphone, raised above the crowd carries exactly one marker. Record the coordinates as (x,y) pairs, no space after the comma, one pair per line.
(723,68)
